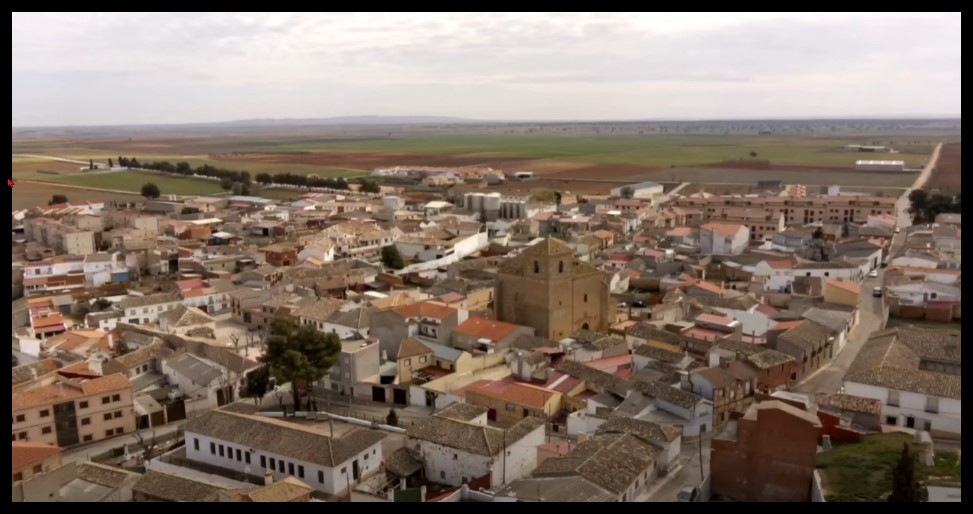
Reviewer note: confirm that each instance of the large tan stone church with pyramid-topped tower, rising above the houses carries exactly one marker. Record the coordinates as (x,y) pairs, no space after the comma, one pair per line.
(546,288)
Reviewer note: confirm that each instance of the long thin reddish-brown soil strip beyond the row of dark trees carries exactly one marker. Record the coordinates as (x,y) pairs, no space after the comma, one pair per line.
(369,160)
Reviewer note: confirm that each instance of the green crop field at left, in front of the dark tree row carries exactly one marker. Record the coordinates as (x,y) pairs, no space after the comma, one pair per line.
(133,181)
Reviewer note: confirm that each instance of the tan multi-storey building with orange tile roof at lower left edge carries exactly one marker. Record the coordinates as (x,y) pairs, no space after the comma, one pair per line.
(67,410)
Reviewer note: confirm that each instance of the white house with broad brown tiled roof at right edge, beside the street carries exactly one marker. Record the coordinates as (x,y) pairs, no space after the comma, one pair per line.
(915,373)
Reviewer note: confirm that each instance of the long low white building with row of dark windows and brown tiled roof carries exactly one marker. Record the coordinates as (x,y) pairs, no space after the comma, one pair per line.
(253,444)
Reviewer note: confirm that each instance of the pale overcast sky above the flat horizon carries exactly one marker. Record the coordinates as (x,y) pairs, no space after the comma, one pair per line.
(120,68)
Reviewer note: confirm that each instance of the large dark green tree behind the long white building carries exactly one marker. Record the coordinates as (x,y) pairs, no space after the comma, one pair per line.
(299,353)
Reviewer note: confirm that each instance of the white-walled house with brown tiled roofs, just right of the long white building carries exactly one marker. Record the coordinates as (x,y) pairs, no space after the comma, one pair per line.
(457,446)
